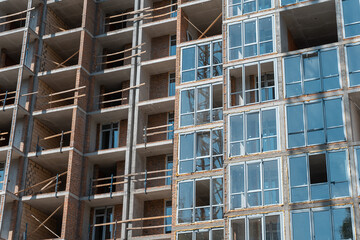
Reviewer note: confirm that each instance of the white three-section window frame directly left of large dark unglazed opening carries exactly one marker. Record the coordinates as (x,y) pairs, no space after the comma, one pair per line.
(257,37)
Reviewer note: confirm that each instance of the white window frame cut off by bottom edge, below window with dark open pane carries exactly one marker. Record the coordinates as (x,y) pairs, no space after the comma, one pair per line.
(311,219)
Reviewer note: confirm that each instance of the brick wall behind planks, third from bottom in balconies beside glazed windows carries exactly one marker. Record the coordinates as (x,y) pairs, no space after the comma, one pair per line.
(154,121)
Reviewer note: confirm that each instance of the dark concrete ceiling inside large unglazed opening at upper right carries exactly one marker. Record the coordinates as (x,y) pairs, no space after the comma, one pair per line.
(313,29)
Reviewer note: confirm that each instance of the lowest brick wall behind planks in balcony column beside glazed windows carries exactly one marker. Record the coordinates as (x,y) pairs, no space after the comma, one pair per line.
(153,208)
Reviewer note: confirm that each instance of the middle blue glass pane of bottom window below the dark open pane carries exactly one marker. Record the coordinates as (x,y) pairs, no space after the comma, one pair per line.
(322,225)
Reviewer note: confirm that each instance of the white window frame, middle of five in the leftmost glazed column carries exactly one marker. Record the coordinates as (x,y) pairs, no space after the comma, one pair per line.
(211,156)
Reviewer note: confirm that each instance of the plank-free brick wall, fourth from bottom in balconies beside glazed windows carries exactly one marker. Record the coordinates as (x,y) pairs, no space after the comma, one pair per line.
(159,85)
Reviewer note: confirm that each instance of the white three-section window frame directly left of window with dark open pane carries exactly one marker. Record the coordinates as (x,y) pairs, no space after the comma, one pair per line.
(261,182)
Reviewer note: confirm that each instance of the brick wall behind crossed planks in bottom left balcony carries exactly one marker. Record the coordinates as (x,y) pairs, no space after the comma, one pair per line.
(27,218)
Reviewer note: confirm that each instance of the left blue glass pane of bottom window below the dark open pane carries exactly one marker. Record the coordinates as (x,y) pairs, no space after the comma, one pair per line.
(301,219)
